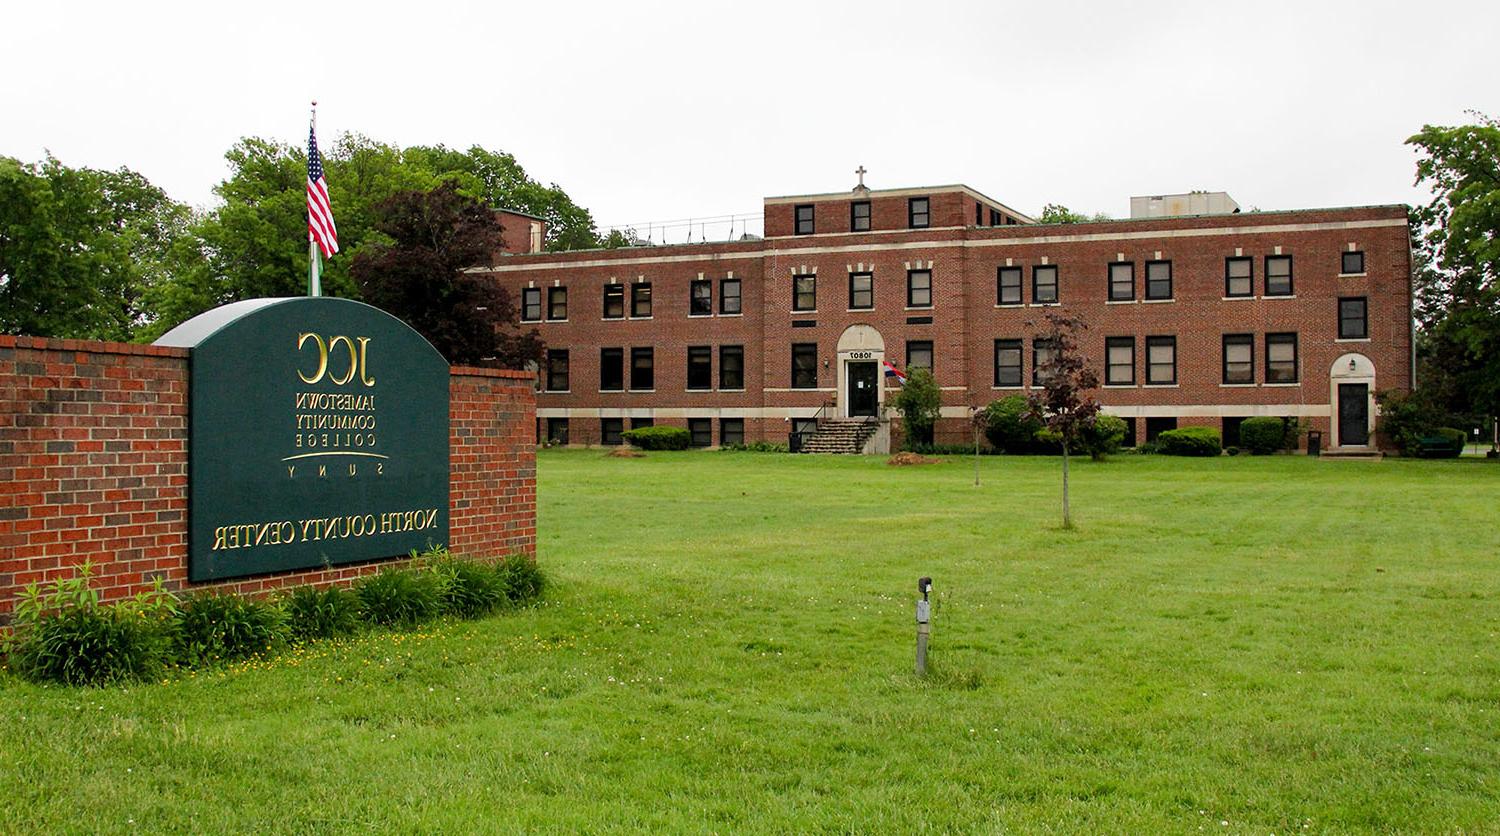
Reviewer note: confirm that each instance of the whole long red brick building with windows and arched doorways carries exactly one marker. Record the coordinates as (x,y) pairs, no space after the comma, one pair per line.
(1193,320)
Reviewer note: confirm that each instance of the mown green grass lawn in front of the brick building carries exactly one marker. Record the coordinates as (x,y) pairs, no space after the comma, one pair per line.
(1271,645)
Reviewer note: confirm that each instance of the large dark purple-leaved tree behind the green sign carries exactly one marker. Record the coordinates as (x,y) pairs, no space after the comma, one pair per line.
(421,275)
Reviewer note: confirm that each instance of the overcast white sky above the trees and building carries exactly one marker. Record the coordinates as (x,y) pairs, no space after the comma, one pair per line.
(652,112)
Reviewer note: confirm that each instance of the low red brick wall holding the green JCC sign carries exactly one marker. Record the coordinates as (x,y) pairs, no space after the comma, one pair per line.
(94,456)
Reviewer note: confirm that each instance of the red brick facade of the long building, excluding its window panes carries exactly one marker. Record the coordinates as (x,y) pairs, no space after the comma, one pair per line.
(967,317)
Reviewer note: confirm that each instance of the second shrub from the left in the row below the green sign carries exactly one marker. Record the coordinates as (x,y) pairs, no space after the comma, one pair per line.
(221,628)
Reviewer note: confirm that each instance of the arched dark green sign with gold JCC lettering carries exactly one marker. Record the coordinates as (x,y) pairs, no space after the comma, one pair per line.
(319,435)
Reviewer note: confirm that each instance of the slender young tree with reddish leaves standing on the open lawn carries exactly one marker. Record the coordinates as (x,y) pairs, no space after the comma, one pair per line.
(1064,403)
